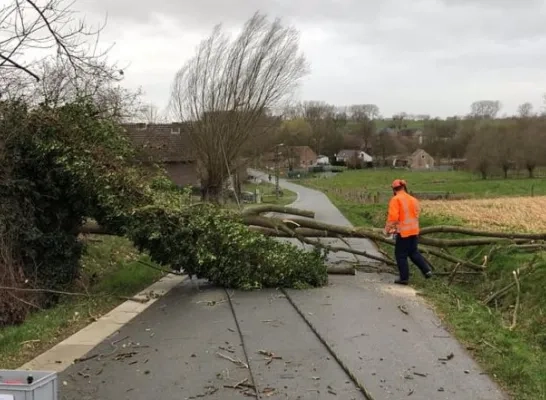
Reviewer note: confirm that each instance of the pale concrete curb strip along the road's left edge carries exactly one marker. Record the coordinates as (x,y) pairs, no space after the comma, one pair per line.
(62,355)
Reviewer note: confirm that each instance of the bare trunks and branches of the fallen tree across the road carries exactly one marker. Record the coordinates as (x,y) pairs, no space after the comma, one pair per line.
(289,222)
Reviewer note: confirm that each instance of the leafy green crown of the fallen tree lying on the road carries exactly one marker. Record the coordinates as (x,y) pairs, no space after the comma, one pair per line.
(211,243)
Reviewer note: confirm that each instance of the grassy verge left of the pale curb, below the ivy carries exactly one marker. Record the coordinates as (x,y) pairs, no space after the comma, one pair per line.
(110,269)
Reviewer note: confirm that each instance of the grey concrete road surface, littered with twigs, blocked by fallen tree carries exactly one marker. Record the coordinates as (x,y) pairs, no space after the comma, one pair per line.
(196,343)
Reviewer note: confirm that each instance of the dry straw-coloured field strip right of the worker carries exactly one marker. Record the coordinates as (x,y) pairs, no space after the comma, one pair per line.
(507,214)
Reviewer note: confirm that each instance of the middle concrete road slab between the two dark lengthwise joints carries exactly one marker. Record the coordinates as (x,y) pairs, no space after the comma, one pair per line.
(305,369)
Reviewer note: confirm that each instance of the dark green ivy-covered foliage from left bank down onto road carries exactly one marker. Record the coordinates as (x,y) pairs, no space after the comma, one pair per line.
(63,165)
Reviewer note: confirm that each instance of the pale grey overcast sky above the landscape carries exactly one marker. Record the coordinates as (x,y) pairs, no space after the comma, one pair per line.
(421,57)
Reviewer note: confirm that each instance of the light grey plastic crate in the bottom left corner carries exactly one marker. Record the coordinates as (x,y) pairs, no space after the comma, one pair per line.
(14,386)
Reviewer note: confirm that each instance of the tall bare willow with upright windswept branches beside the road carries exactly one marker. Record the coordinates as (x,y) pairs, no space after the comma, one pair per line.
(223,92)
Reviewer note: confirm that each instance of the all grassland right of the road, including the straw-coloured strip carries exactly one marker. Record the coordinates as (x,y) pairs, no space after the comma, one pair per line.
(515,358)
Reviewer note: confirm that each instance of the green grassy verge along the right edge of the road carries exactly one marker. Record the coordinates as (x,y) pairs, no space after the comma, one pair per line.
(515,358)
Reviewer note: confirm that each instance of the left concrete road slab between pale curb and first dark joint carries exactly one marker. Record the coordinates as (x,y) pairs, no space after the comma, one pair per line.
(168,352)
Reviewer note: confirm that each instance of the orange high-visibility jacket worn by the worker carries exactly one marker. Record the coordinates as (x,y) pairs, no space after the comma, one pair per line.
(403,216)
